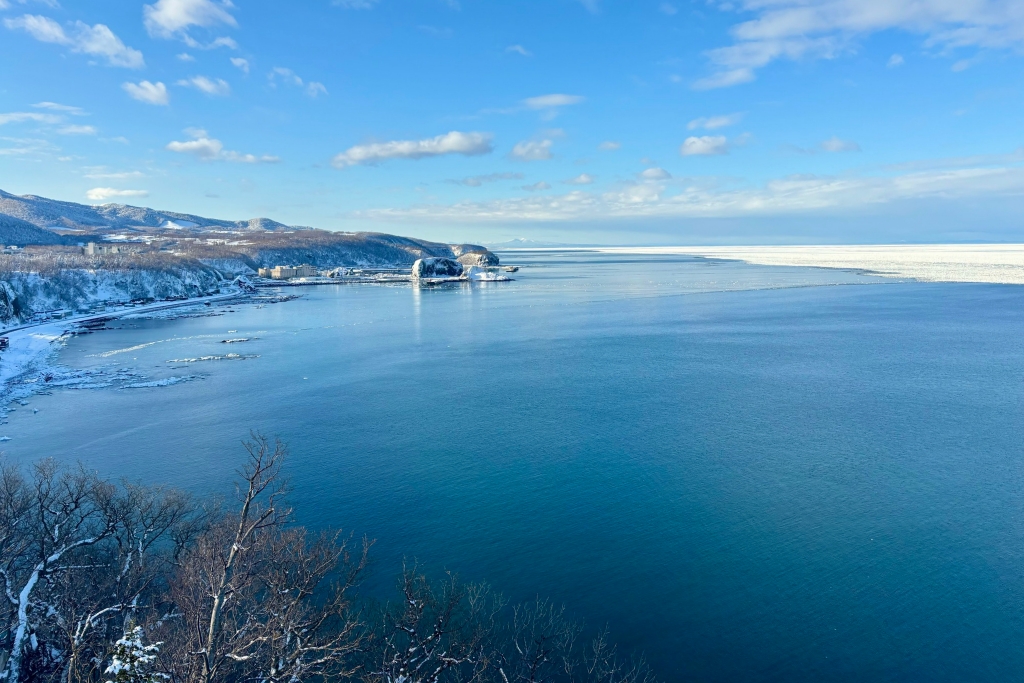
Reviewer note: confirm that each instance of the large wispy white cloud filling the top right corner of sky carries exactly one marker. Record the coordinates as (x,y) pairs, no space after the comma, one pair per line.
(826,29)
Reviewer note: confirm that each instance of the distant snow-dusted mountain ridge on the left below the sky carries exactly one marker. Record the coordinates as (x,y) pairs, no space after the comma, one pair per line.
(53,215)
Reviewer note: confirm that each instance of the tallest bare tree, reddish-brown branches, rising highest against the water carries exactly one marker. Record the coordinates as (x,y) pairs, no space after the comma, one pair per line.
(258,602)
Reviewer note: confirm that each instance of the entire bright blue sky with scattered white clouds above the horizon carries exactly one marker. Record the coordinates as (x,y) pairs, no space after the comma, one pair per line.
(583,121)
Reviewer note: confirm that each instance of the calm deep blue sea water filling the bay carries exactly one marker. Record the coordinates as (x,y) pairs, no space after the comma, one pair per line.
(752,474)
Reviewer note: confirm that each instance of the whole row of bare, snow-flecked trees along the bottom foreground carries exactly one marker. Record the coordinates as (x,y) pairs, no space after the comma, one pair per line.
(116,582)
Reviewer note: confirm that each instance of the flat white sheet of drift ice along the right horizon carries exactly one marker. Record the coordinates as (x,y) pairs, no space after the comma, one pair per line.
(947,264)
